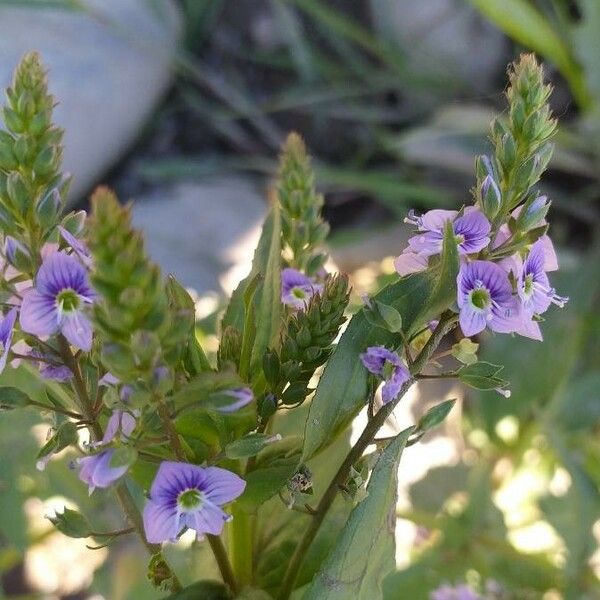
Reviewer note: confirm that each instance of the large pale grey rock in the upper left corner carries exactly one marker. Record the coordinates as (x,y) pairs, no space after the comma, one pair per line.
(107,67)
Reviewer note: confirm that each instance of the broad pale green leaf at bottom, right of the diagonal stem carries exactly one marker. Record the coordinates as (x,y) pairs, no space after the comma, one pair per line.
(364,553)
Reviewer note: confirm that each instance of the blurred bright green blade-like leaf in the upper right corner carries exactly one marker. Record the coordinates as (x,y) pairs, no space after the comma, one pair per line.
(527,25)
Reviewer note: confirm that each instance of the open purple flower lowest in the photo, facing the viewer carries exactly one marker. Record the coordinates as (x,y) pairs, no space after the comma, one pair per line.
(184,495)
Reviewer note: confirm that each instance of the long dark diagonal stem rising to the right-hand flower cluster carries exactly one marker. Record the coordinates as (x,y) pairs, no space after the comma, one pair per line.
(446,322)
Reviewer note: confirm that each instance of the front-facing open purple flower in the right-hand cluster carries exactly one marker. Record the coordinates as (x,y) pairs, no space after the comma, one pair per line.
(485,299)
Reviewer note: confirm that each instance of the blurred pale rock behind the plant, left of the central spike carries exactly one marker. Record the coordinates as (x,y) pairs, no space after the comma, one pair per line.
(203,233)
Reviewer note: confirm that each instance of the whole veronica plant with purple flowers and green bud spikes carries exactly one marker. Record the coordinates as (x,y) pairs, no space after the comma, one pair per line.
(235,451)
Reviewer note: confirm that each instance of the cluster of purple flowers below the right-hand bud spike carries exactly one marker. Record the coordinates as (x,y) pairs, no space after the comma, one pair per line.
(505,292)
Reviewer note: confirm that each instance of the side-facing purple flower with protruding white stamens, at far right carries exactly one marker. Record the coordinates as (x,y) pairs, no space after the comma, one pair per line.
(533,285)
